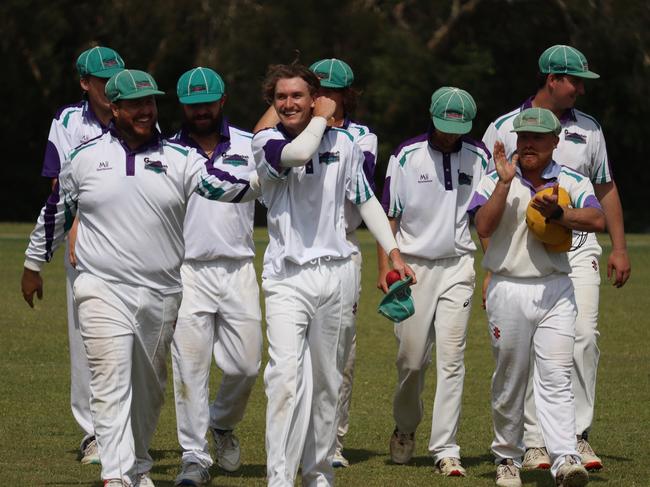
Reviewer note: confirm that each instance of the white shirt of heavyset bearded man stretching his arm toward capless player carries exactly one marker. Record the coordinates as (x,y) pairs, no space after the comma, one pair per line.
(131,207)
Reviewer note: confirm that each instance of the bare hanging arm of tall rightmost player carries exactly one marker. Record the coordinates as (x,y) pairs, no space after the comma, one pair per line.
(618,262)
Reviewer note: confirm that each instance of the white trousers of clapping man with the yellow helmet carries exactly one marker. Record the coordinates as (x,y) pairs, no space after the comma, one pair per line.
(532,315)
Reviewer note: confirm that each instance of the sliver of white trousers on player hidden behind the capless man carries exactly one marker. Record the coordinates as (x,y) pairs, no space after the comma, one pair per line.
(345,394)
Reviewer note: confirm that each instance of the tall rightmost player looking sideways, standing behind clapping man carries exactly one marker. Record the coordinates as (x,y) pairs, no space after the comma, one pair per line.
(562,71)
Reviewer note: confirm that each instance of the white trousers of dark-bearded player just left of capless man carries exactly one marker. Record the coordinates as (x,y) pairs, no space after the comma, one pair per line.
(220,314)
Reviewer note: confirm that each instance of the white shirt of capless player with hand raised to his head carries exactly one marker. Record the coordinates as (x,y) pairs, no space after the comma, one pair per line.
(306,217)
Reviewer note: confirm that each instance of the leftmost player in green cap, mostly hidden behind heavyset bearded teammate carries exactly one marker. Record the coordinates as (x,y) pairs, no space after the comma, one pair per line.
(72,126)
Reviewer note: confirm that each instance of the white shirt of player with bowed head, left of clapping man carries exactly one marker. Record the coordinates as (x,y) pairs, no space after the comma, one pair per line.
(429,192)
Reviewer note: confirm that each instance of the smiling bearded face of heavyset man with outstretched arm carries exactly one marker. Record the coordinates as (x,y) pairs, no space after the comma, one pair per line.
(136,119)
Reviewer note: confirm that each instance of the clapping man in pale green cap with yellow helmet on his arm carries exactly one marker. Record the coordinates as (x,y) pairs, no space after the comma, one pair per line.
(530,298)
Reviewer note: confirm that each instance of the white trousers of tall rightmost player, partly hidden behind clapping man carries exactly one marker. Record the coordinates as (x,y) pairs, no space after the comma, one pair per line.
(586,354)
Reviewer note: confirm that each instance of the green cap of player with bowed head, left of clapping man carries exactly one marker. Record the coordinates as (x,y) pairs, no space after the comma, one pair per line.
(452,110)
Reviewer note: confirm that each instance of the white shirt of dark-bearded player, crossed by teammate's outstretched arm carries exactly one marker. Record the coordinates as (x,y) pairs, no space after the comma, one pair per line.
(214,229)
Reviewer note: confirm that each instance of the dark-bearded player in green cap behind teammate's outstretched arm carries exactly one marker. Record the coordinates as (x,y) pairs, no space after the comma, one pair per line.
(220,312)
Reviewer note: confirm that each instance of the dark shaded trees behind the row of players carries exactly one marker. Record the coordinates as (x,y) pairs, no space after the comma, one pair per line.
(400,51)
